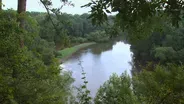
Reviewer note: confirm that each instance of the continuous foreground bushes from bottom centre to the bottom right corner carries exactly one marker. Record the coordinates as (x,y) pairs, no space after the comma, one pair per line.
(164,85)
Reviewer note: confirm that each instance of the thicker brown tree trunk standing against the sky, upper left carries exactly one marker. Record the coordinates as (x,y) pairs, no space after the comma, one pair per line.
(21,9)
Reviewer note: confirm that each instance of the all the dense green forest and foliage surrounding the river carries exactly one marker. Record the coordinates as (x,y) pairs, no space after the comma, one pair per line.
(29,44)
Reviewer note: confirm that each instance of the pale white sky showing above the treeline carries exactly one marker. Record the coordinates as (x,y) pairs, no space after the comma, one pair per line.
(35,5)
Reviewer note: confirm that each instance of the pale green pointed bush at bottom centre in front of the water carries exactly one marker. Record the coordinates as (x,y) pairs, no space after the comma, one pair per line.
(116,90)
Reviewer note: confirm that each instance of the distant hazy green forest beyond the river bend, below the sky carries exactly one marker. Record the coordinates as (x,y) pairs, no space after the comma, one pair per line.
(73,29)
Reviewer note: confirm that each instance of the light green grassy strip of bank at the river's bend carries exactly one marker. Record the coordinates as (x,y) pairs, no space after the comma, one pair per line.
(67,52)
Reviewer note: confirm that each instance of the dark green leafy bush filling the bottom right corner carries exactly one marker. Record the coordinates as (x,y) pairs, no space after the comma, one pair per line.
(162,86)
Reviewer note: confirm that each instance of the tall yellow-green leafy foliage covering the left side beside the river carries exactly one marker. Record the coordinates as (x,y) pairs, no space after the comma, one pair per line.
(25,76)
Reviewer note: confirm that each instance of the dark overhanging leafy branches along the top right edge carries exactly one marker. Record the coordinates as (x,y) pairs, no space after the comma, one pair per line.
(133,11)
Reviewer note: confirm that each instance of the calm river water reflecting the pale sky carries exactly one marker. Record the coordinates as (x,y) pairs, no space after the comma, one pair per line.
(99,62)
